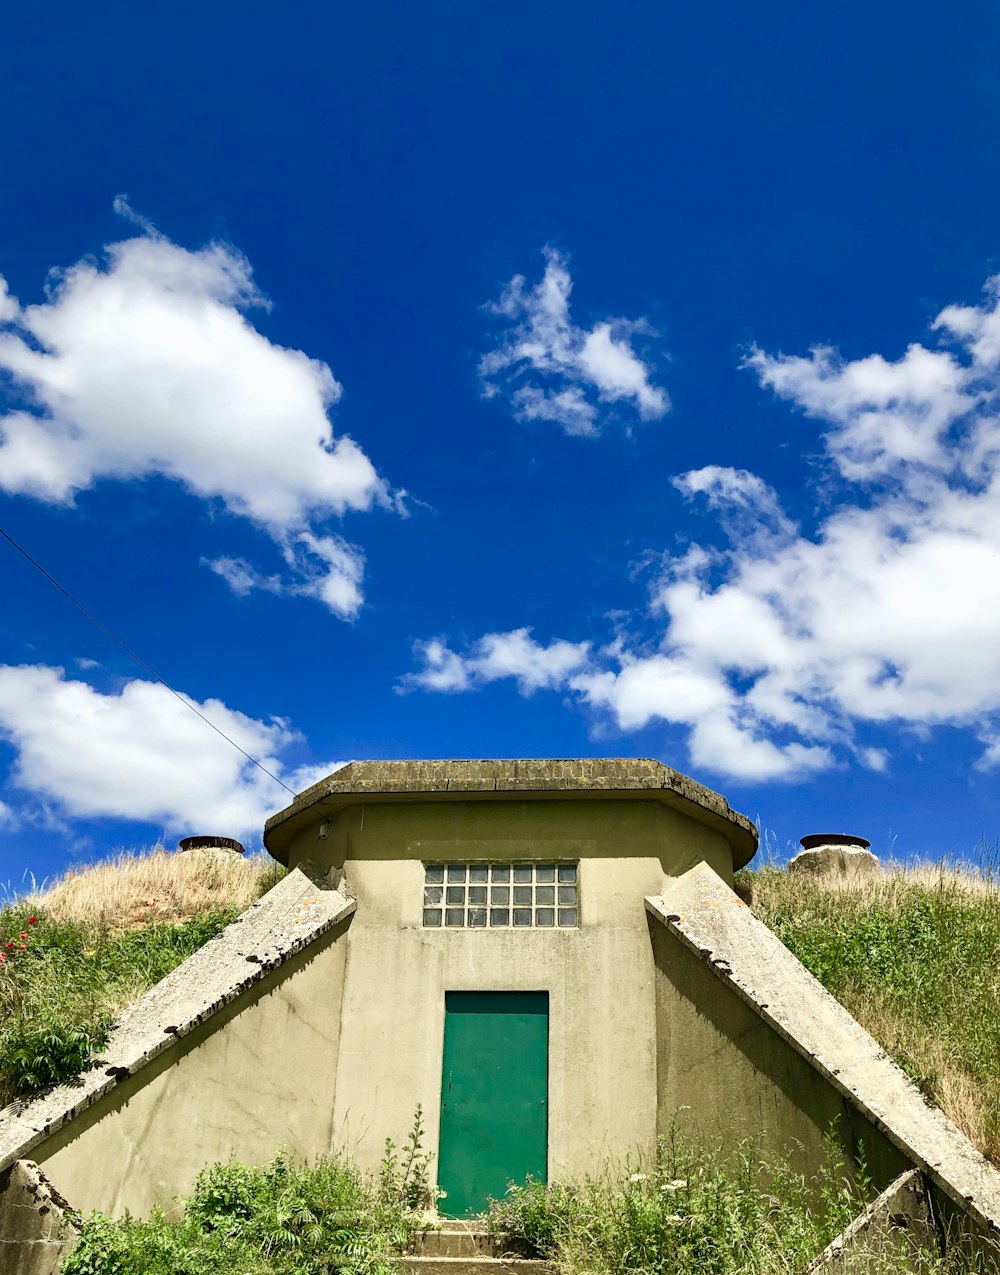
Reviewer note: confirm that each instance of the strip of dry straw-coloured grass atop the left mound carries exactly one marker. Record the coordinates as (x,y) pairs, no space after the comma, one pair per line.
(135,889)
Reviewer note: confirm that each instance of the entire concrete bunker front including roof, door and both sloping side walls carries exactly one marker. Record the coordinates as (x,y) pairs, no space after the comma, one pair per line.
(547,957)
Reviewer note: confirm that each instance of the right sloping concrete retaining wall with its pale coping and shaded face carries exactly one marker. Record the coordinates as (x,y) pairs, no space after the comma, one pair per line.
(756,1047)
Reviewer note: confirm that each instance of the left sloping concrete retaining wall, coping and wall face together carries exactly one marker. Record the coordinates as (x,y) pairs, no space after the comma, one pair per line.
(173,1092)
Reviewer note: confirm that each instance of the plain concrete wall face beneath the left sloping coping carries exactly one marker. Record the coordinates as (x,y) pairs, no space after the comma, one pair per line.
(257,1077)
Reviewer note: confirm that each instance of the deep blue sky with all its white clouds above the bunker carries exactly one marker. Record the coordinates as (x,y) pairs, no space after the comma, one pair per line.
(538,381)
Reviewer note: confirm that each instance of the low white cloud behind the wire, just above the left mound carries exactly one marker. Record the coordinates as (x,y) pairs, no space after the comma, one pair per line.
(142,755)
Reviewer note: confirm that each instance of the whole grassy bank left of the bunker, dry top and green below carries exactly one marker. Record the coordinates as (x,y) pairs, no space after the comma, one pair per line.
(73,957)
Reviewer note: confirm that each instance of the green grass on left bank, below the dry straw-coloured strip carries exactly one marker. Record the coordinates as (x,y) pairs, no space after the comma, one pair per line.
(64,984)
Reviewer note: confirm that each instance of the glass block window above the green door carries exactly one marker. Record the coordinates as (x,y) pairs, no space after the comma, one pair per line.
(501,896)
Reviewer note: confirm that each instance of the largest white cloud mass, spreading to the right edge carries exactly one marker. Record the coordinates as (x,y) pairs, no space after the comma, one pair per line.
(775,650)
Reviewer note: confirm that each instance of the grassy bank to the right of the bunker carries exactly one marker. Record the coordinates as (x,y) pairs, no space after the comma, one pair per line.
(915,956)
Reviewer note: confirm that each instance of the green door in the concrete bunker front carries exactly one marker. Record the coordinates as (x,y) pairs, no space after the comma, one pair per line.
(494,1097)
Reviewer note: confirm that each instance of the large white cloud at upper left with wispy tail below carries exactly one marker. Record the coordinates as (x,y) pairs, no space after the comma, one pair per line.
(145,364)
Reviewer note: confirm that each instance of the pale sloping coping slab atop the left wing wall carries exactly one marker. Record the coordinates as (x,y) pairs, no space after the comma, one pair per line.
(289,919)
